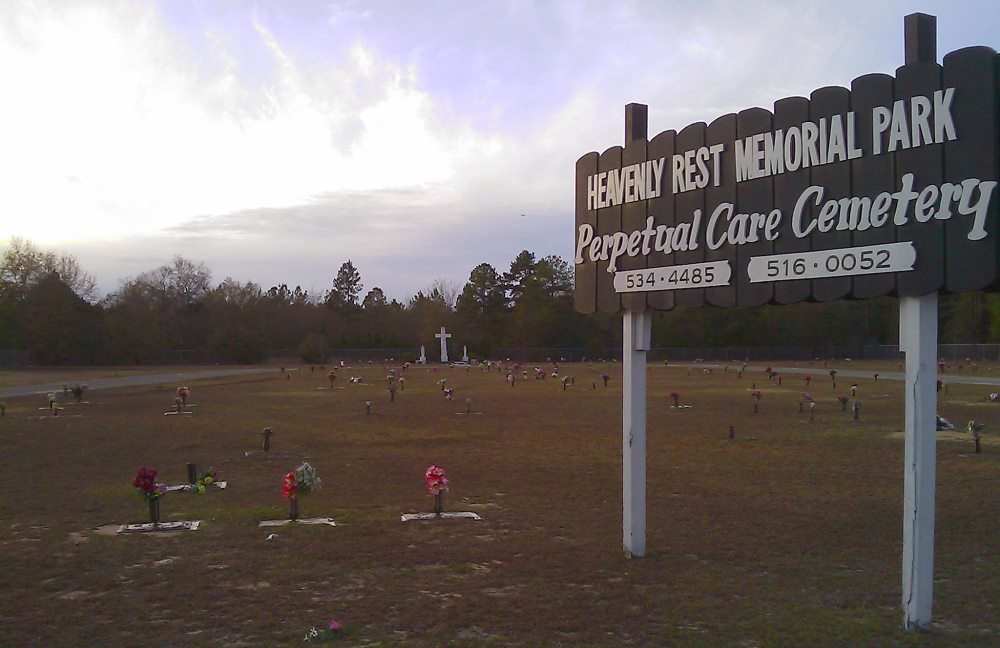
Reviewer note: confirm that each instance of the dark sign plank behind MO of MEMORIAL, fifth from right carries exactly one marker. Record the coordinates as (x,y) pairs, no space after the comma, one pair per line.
(788,186)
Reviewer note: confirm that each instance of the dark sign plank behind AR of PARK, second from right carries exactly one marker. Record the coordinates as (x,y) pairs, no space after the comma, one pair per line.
(925,162)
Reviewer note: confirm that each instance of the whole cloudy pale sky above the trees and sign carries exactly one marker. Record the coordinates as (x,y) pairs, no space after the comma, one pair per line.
(274,140)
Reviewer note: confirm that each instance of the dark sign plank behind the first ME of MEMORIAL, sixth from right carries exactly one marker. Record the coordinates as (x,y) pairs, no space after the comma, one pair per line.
(753,197)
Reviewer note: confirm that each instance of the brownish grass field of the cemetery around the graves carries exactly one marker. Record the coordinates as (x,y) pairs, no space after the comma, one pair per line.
(788,534)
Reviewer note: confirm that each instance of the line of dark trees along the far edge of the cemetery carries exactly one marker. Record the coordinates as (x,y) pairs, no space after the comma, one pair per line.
(50,306)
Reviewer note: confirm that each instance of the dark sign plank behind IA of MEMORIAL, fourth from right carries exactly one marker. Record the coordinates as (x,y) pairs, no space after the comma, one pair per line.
(835,178)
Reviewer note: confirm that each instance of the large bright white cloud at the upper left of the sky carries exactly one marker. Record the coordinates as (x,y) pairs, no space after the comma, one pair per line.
(112,130)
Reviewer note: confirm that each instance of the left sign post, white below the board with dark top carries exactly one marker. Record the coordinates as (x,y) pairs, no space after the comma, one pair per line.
(636,329)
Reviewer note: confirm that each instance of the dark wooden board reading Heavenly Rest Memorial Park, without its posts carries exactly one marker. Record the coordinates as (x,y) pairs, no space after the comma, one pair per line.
(886,188)
